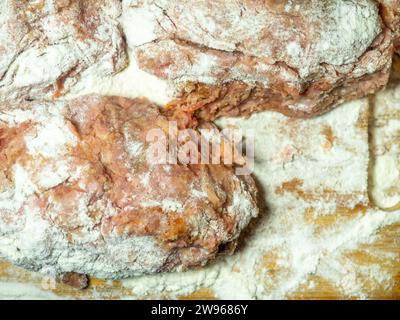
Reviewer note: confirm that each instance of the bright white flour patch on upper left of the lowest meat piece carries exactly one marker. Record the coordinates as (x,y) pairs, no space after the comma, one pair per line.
(48,141)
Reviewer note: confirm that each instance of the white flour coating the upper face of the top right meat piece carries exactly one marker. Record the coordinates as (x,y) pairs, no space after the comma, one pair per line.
(336,32)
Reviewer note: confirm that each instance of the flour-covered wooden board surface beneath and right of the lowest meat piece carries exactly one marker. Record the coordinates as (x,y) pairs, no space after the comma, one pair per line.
(318,236)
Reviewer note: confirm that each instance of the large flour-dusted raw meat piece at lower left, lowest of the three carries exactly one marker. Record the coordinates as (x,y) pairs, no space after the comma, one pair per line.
(78,194)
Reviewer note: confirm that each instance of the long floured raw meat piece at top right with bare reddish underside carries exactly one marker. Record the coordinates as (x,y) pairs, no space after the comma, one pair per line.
(236,57)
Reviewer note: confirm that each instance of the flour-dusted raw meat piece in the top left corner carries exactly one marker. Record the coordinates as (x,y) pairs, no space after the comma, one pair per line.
(47,45)
